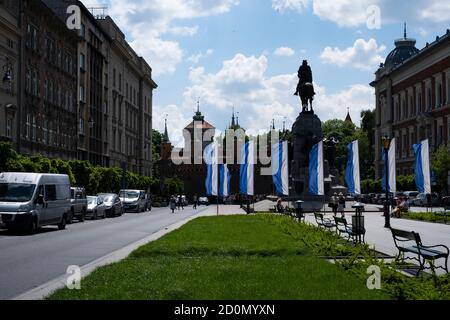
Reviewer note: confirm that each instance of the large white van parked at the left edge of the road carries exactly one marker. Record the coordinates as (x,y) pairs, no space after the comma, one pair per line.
(32,200)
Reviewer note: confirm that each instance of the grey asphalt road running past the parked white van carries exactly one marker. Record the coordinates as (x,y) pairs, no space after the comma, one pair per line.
(27,262)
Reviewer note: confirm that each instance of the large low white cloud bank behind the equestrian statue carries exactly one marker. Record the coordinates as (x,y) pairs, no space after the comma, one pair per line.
(243,81)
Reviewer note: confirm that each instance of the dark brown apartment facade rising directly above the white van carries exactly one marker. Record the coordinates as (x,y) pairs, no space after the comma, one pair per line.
(48,75)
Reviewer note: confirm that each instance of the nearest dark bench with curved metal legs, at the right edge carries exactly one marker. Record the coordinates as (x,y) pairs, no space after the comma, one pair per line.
(410,242)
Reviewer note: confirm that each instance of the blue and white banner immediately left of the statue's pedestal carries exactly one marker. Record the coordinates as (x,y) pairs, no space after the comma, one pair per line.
(280,168)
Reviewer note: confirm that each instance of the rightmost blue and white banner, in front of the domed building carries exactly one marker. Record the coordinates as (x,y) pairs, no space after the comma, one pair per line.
(423,175)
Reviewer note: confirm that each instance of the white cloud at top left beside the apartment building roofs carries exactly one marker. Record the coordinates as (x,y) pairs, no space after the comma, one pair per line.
(148,22)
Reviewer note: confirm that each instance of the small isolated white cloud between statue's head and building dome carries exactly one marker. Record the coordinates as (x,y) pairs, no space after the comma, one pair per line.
(363,55)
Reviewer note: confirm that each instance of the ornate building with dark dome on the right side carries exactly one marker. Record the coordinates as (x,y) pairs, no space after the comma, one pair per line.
(413,99)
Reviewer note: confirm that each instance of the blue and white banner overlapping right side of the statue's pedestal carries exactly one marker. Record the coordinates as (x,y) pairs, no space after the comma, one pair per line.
(316,179)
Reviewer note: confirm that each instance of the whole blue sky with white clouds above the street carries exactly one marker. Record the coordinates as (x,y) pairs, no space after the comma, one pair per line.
(246,53)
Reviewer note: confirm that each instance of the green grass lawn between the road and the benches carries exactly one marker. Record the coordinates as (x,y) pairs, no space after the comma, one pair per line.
(223,258)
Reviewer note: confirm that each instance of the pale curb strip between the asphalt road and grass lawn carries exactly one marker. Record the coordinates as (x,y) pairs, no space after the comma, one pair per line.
(43,291)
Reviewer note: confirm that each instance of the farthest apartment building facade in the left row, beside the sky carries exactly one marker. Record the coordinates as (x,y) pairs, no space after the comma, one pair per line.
(131,100)
